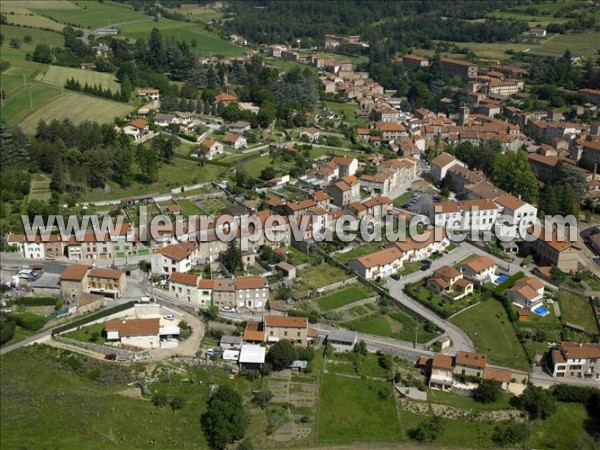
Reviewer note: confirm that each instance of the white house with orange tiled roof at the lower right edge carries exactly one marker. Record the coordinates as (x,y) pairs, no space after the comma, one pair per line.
(576,360)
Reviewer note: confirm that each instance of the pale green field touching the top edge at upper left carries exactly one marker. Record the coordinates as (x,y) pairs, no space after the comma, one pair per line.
(88,14)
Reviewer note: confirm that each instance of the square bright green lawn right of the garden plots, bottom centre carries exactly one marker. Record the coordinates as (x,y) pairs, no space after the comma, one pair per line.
(352,410)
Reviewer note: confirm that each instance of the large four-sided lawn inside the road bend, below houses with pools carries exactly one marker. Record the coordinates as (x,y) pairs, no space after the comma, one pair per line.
(492,333)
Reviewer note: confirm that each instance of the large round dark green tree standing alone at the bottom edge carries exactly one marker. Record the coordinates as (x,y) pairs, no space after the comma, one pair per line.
(225,420)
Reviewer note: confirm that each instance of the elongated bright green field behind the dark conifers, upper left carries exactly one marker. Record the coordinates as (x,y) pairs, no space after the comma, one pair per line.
(208,44)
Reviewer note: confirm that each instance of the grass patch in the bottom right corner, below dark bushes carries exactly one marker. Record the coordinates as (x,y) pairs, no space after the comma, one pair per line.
(564,429)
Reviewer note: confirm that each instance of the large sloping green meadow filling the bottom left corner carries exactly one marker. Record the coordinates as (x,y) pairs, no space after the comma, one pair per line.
(46,404)
